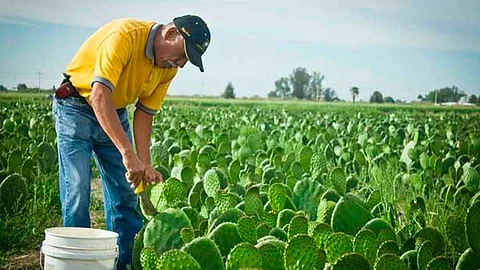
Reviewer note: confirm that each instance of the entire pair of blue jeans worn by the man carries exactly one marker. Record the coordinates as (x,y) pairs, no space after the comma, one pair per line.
(79,135)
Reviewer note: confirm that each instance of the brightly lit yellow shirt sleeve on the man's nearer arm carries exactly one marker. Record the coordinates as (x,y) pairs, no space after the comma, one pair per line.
(112,56)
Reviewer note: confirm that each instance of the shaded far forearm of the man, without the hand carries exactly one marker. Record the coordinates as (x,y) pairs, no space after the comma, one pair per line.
(142,130)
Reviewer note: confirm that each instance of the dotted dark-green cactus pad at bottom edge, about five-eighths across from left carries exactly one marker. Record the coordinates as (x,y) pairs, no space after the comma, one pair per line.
(301,253)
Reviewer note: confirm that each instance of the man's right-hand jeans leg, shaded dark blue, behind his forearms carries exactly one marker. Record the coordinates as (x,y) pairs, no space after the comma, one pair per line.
(121,214)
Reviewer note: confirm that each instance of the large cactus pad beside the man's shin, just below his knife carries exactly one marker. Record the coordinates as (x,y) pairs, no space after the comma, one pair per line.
(163,231)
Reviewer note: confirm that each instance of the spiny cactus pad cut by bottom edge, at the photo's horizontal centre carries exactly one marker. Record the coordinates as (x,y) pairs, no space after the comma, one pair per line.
(244,256)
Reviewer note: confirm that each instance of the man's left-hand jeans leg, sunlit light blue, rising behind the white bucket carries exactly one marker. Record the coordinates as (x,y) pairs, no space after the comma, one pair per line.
(73,128)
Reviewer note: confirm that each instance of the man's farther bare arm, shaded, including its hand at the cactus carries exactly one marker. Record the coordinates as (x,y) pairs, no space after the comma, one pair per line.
(142,130)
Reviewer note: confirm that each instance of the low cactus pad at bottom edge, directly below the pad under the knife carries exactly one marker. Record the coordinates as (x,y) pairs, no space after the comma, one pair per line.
(177,259)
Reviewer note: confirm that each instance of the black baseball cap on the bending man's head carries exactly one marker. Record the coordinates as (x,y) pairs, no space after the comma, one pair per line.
(196,35)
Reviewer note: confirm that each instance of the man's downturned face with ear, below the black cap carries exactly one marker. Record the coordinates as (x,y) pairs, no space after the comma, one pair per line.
(172,53)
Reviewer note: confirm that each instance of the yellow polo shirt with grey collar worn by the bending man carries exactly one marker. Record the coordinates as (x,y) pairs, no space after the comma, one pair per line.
(120,56)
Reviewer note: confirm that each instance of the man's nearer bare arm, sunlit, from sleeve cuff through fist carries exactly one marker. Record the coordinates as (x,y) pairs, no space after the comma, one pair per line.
(102,104)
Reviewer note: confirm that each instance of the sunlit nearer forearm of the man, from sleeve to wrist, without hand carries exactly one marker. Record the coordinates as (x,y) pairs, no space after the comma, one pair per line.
(102,104)
